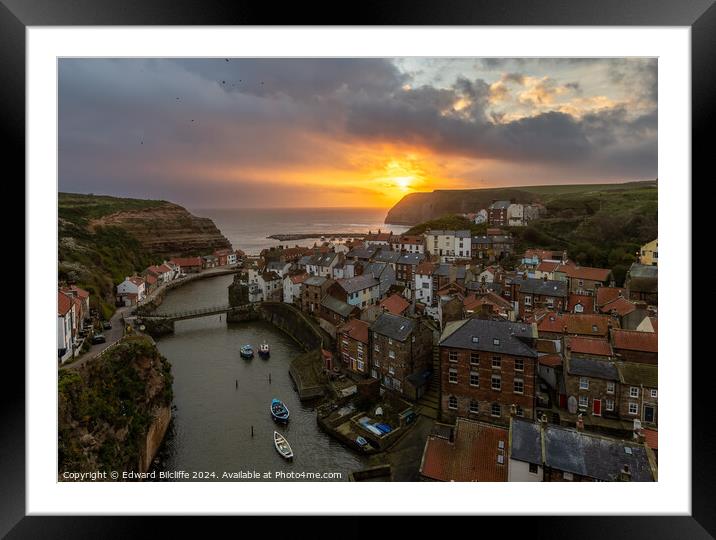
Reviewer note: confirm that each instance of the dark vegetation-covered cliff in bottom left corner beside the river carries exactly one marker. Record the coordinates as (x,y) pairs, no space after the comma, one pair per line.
(115,410)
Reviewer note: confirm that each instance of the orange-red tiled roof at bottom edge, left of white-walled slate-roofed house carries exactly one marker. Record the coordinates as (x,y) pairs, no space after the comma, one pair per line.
(472,457)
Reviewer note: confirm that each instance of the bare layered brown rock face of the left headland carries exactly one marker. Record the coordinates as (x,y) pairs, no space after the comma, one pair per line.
(168,230)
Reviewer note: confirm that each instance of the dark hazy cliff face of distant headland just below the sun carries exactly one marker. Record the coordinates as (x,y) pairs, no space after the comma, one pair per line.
(419,207)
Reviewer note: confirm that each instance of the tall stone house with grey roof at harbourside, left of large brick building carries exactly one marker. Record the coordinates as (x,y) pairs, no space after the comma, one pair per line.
(400,348)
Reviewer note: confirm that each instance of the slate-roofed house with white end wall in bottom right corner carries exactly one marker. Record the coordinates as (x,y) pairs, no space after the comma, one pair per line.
(542,452)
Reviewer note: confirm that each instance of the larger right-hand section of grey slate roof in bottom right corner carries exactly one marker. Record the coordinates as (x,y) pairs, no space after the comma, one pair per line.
(594,456)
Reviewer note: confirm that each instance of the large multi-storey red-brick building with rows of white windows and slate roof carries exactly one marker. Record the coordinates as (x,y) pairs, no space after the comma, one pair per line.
(486,367)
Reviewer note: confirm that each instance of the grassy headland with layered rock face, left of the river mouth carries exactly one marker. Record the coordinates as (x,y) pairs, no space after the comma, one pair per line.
(104,239)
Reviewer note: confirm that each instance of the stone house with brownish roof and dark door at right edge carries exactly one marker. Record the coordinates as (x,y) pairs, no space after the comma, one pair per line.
(638,392)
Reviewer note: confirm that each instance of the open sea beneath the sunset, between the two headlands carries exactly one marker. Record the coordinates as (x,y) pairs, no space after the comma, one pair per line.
(248,229)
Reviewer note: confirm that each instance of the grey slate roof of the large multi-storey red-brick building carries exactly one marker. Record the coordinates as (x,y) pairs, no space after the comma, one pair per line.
(479,335)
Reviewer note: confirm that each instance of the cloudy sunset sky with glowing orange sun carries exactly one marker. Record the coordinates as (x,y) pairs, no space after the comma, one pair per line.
(358,132)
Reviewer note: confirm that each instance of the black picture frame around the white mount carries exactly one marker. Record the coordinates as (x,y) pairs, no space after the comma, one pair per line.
(700,15)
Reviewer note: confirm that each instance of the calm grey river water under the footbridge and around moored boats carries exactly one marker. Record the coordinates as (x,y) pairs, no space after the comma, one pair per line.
(211,430)
